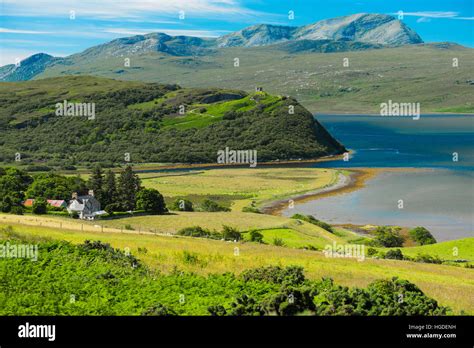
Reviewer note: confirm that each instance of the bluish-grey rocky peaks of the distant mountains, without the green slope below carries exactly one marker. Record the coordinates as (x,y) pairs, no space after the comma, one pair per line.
(354,32)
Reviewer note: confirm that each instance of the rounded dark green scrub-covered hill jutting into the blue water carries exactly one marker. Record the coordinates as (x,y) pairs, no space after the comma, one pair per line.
(152,123)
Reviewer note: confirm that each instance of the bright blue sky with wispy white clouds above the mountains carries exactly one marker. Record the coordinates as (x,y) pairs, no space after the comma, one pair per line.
(32,26)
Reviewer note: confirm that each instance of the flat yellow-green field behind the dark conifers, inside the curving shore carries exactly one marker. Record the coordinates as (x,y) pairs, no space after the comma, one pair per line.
(248,184)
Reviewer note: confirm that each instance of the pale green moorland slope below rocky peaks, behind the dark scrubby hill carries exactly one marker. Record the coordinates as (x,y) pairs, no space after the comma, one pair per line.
(319,81)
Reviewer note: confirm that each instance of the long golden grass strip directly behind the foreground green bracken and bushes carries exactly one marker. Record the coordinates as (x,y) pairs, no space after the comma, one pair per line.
(447,284)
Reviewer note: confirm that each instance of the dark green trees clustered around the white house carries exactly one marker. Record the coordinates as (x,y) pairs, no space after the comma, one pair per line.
(121,194)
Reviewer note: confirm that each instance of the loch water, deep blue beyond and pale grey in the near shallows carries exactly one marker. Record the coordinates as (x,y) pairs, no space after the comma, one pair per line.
(440,197)
